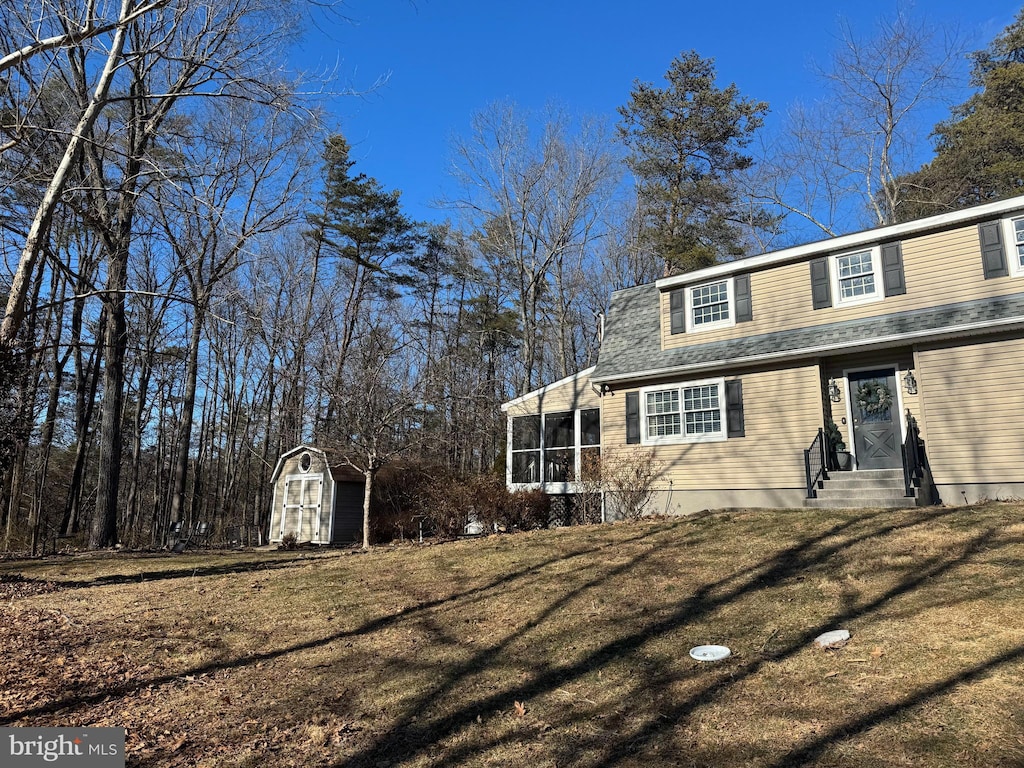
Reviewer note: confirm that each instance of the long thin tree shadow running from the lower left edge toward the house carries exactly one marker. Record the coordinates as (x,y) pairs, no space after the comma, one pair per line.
(70,704)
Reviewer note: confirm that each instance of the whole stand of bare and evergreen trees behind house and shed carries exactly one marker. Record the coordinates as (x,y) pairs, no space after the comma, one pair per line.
(200,277)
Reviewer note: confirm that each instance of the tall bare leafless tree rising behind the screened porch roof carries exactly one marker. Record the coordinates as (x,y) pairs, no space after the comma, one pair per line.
(535,207)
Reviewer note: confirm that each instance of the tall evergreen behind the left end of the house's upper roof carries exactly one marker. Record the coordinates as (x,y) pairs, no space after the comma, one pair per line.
(686,145)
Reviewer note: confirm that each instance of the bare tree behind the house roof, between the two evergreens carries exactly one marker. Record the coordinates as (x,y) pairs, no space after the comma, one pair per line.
(835,165)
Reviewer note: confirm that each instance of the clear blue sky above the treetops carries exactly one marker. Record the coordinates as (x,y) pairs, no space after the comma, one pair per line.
(446,60)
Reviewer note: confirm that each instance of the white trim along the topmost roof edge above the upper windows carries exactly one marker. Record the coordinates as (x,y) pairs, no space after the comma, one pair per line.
(842,243)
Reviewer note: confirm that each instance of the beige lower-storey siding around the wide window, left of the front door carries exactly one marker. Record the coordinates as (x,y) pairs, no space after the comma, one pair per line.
(770,456)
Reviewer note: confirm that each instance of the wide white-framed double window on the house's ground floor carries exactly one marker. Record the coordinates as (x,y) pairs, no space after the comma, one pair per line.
(689,413)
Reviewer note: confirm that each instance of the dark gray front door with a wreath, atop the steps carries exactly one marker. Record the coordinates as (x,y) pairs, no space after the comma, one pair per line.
(876,420)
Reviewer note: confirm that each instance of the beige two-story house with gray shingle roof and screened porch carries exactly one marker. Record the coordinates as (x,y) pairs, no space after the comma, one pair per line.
(909,338)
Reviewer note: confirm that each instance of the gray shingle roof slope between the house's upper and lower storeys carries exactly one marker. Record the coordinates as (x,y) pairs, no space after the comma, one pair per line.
(632,338)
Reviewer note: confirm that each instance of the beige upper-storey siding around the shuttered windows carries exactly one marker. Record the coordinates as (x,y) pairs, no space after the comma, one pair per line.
(940,269)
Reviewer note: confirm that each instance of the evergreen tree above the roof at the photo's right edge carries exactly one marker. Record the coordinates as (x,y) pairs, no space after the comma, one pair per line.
(980,150)
